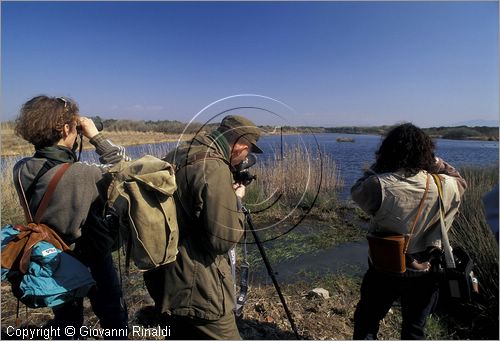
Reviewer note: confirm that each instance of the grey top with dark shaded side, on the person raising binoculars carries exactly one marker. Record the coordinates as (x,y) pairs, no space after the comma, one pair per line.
(76,209)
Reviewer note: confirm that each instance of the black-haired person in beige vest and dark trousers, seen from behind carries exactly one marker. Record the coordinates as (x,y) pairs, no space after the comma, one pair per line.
(391,191)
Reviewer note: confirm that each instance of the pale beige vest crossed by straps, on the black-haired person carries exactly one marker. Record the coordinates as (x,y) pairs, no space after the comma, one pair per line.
(400,200)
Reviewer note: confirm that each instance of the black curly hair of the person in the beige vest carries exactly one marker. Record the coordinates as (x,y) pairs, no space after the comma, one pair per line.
(406,147)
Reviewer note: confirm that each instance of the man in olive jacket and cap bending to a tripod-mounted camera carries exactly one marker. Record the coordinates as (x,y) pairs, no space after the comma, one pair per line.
(197,290)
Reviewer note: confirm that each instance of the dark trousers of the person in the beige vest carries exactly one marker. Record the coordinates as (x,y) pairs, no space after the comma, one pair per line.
(418,293)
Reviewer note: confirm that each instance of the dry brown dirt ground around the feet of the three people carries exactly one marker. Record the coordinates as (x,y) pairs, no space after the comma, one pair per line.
(263,315)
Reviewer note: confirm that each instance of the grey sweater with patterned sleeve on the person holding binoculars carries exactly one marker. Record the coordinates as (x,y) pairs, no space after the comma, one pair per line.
(78,202)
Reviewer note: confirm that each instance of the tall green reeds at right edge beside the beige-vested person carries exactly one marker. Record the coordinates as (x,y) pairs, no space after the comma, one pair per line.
(471,231)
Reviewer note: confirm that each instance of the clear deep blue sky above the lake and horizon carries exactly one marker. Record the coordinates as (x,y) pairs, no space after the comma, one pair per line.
(332,63)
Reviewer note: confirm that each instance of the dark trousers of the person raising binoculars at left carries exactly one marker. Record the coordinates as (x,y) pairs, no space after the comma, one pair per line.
(106,299)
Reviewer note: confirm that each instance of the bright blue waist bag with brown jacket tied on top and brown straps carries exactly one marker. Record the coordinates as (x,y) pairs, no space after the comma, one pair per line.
(35,261)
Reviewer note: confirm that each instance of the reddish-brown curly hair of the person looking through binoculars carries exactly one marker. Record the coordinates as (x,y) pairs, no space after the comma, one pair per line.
(42,118)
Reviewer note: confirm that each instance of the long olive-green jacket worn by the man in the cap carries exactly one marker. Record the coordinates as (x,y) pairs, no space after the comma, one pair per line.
(199,282)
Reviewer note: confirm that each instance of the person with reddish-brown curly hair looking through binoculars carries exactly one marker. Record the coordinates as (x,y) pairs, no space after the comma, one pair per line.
(75,211)
